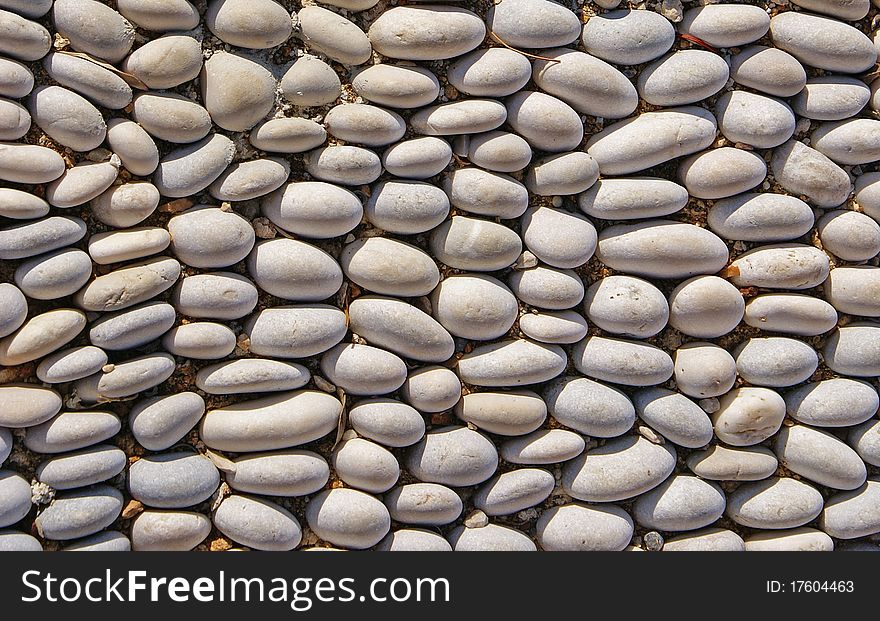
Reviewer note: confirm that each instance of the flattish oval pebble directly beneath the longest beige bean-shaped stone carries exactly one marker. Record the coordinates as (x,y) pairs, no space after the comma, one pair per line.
(281,473)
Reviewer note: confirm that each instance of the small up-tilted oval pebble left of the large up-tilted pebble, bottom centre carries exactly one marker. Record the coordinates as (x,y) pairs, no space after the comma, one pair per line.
(514,491)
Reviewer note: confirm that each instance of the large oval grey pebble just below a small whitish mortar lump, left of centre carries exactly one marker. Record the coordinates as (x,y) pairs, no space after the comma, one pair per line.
(293,270)
